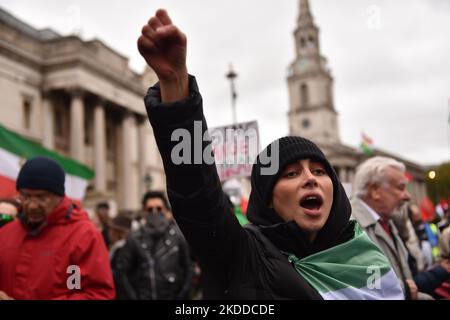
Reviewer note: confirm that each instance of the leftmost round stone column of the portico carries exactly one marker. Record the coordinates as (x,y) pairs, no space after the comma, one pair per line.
(77,126)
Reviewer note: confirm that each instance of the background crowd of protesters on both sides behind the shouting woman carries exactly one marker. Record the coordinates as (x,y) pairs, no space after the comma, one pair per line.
(150,259)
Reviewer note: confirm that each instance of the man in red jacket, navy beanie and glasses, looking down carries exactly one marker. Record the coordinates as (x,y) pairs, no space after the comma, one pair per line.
(53,250)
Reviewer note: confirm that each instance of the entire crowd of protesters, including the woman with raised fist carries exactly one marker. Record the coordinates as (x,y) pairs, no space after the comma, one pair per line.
(302,237)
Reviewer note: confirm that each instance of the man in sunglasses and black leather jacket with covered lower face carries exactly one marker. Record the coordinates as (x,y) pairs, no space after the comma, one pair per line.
(155,263)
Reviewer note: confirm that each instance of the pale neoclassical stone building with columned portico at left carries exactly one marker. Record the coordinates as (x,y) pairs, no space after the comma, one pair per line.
(81,99)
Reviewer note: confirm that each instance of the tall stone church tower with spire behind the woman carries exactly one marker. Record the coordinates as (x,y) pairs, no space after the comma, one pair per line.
(311,113)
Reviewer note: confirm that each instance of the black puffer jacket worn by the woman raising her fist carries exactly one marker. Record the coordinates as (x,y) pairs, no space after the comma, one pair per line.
(236,262)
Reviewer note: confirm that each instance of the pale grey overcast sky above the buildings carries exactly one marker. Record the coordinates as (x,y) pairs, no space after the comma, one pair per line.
(390,59)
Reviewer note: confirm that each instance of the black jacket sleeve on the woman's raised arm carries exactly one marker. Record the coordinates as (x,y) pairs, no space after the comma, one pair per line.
(194,188)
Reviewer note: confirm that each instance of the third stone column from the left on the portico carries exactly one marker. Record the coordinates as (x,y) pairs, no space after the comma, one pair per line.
(128,122)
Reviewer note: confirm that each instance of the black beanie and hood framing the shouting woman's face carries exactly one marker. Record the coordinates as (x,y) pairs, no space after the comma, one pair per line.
(288,236)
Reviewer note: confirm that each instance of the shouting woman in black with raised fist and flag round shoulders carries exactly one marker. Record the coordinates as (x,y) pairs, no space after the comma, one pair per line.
(300,243)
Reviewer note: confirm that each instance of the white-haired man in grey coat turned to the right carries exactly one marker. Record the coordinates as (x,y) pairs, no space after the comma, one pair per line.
(380,189)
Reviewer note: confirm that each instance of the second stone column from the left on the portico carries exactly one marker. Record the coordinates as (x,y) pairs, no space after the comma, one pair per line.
(100,146)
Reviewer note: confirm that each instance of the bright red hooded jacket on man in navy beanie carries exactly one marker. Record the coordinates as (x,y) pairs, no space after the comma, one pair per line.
(66,259)
